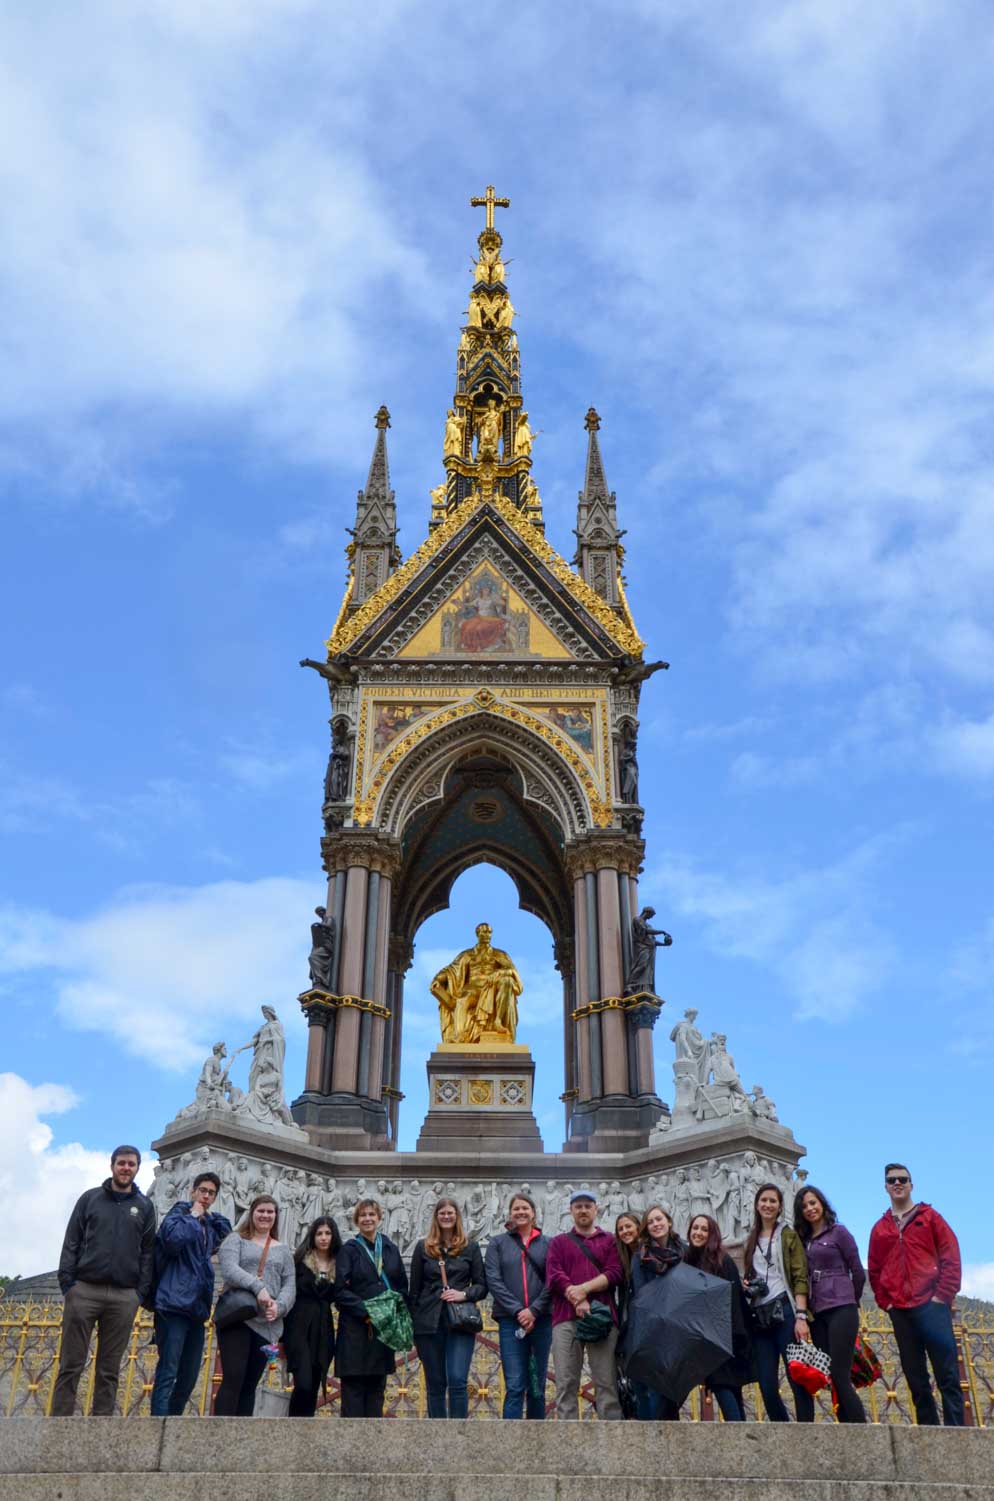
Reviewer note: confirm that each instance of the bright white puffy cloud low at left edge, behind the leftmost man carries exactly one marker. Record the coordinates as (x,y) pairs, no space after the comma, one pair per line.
(40,1184)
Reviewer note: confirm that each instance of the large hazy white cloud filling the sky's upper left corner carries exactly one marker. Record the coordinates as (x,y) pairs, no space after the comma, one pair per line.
(173,253)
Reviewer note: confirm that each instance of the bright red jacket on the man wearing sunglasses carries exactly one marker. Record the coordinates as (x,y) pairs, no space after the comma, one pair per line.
(914,1263)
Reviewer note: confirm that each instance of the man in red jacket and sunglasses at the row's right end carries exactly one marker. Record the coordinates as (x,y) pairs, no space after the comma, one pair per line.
(915,1272)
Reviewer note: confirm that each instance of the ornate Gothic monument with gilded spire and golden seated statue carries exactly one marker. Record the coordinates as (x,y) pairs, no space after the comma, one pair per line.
(484,708)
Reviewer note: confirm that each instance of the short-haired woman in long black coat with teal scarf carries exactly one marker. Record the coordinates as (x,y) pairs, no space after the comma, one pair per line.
(366,1266)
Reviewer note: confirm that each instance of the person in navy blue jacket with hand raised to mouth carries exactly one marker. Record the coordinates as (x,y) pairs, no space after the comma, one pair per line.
(188,1239)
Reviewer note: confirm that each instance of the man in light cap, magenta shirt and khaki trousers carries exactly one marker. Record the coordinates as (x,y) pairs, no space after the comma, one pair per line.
(580,1269)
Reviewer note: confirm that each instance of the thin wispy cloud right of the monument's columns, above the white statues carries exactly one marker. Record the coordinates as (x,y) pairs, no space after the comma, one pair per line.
(812,928)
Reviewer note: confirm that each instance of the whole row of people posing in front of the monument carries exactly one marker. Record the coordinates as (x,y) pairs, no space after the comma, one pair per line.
(570,1295)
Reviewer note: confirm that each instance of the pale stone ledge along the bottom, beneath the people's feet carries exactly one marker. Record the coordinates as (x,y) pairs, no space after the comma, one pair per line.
(285,1460)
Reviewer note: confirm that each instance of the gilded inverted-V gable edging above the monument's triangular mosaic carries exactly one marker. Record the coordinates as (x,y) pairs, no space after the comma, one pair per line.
(582,609)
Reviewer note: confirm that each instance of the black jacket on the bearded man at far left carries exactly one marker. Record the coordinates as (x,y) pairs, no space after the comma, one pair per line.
(110,1239)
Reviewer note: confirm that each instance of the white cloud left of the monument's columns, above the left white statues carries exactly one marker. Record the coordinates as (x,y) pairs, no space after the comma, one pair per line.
(164,972)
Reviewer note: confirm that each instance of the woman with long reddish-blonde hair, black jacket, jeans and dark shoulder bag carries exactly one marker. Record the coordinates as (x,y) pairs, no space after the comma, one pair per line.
(447,1286)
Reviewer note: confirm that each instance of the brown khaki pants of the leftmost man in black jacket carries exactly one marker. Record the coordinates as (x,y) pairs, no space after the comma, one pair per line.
(113,1311)
